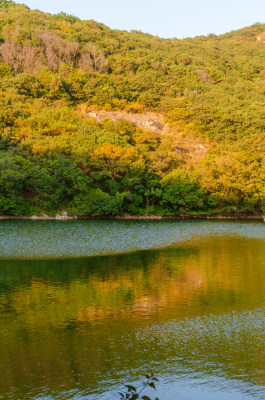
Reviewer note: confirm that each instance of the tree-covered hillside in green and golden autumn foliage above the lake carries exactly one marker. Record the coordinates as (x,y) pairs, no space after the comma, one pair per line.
(58,73)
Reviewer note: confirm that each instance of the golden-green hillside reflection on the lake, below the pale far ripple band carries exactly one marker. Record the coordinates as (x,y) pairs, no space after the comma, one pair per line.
(67,323)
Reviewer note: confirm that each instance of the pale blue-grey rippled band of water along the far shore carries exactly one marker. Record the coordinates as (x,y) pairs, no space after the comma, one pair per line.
(58,239)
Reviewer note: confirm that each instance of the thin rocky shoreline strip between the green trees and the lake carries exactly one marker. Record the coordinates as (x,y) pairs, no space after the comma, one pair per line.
(64,217)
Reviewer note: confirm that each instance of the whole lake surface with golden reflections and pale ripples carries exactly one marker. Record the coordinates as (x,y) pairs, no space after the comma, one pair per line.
(88,306)
